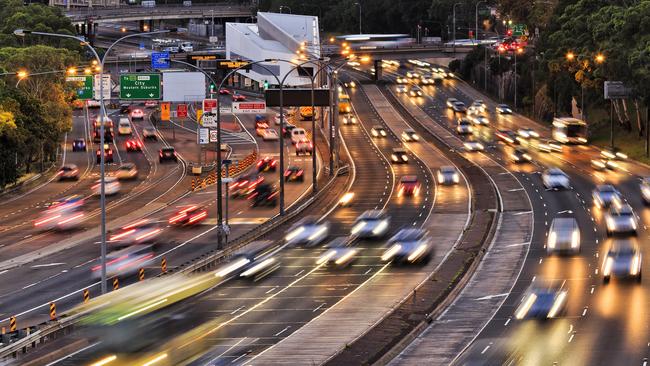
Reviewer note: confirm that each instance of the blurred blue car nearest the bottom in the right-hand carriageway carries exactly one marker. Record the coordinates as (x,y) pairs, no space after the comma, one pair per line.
(542,300)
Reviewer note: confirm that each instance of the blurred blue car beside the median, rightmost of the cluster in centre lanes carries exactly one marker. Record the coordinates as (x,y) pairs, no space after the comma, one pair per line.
(408,246)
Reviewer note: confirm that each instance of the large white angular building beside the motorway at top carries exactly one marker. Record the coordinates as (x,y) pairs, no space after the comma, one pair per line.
(288,37)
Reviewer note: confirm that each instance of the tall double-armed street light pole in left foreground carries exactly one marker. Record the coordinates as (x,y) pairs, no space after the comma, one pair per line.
(103,115)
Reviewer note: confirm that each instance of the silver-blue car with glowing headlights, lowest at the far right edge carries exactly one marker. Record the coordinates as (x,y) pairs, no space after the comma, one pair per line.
(623,260)
